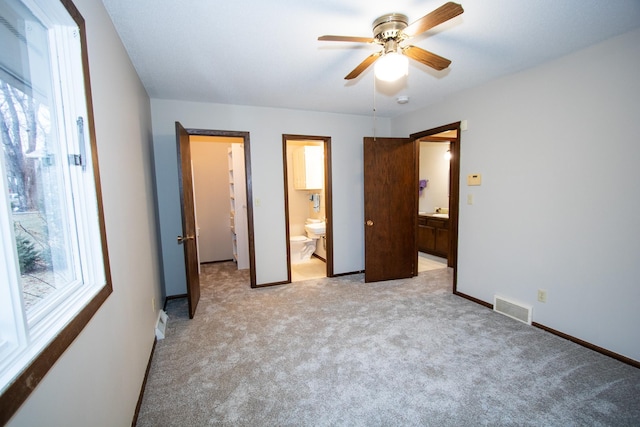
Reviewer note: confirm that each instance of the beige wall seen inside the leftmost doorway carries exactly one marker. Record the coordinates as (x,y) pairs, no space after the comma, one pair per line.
(211,183)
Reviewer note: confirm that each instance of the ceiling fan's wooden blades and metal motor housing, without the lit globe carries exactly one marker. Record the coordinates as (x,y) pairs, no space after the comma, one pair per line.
(391,30)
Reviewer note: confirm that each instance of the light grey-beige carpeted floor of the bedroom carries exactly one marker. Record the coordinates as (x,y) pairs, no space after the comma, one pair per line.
(341,352)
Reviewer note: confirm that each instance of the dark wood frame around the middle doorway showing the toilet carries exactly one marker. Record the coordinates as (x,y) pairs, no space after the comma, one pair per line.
(328,195)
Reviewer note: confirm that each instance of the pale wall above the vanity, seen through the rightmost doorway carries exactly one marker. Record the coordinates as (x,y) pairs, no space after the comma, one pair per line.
(434,168)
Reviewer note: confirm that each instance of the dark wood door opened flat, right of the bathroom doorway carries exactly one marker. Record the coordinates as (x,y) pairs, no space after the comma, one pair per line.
(390,208)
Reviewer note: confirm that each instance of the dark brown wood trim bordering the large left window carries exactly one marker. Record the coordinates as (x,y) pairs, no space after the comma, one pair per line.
(16,392)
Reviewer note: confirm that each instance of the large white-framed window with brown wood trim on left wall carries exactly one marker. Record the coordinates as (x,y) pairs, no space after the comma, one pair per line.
(53,259)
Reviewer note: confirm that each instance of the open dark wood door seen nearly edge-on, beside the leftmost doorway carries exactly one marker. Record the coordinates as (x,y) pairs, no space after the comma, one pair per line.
(188,239)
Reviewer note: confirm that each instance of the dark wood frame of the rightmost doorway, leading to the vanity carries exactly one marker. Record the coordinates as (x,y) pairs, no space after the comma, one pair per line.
(454,191)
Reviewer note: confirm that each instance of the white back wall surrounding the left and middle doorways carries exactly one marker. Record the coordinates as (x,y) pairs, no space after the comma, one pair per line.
(266,127)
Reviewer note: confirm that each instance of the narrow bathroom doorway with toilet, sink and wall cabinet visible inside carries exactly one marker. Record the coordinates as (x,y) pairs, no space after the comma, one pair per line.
(308,206)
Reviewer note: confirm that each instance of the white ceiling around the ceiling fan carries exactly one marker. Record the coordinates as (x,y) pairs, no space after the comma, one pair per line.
(266,53)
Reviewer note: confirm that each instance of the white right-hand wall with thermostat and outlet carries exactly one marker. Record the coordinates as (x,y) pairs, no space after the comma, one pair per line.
(557,147)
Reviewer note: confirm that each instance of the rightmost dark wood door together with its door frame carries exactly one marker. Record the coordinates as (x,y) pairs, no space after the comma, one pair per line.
(391,188)
